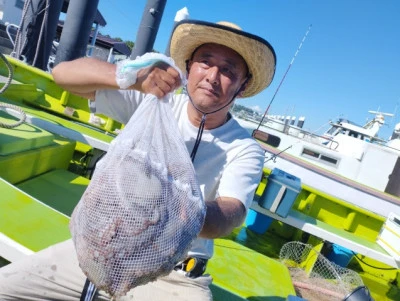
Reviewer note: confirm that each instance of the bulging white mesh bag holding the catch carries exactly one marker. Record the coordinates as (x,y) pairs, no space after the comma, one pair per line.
(143,207)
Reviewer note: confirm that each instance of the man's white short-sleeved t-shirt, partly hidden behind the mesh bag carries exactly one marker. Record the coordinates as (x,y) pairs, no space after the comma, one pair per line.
(228,161)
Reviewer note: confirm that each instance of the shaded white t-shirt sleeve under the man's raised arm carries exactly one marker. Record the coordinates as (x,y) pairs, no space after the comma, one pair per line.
(118,104)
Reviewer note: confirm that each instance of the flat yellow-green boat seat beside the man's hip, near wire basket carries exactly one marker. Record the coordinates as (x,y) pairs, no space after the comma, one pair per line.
(240,273)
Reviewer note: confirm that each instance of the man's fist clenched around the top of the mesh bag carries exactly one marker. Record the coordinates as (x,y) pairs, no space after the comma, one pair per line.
(159,80)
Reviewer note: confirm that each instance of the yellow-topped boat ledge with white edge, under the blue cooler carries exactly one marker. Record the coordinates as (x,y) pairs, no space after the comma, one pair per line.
(332,234)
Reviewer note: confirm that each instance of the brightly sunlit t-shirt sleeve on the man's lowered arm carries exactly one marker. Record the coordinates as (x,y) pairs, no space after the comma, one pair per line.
(242,175)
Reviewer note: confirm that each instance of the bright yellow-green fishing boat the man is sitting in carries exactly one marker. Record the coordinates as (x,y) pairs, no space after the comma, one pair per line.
(50,143)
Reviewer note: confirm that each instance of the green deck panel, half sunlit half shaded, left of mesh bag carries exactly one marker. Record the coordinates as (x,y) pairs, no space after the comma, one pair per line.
(38,224)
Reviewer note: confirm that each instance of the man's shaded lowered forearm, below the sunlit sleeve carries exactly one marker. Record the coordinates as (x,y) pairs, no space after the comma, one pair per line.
(223,215)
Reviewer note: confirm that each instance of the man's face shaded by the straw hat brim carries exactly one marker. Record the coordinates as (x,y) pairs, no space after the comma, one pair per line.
(216,73)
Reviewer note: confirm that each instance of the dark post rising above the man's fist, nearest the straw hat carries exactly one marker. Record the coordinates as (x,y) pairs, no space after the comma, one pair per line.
(148,28)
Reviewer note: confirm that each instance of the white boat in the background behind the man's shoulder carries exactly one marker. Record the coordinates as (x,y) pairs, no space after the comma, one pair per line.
(349,161)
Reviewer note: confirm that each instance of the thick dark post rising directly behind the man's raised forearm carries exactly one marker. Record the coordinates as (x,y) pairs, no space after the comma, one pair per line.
(77,27)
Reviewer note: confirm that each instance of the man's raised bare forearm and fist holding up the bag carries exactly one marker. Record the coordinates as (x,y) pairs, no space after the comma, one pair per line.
(84,76)
